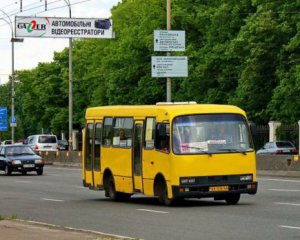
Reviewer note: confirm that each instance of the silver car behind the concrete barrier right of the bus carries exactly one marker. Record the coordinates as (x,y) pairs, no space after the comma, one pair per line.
(278,147)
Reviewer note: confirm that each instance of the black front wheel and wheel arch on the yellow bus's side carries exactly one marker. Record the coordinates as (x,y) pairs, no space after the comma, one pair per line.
(161,190)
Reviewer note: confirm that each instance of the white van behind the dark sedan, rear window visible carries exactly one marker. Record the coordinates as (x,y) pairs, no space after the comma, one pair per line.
(44,142)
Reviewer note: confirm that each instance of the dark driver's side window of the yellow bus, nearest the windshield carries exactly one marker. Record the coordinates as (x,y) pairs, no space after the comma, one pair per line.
(162,137)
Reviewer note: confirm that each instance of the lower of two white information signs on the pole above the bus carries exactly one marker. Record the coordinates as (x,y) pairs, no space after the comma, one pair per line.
(169,66)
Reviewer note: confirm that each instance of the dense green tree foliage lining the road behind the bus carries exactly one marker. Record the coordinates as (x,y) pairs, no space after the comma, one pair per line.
(240,52)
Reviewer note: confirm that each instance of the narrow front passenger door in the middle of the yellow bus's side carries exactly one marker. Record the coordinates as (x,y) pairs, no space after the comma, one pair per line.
(137,156)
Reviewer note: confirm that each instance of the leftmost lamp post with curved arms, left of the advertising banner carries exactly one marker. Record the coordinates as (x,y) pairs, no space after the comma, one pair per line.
(13,40)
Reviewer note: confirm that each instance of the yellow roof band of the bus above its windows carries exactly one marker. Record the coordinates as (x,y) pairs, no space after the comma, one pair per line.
(161,111)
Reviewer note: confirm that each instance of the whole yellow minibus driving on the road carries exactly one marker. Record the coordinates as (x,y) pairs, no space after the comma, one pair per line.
(169,150)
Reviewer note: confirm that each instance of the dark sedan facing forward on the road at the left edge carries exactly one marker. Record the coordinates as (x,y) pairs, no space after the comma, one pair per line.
(20,158)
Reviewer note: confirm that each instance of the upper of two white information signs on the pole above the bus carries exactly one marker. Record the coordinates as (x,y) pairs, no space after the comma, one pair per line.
(169,41)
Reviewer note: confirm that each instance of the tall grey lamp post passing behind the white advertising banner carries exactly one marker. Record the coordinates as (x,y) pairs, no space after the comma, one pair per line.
(70,85)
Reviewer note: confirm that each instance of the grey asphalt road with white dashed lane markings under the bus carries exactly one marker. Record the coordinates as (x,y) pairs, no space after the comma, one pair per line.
(58,198)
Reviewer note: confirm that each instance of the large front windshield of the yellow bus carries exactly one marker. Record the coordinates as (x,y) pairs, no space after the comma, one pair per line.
(211,133)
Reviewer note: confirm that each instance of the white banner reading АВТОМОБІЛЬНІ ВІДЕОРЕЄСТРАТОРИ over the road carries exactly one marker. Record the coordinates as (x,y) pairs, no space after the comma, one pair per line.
(49,27)
